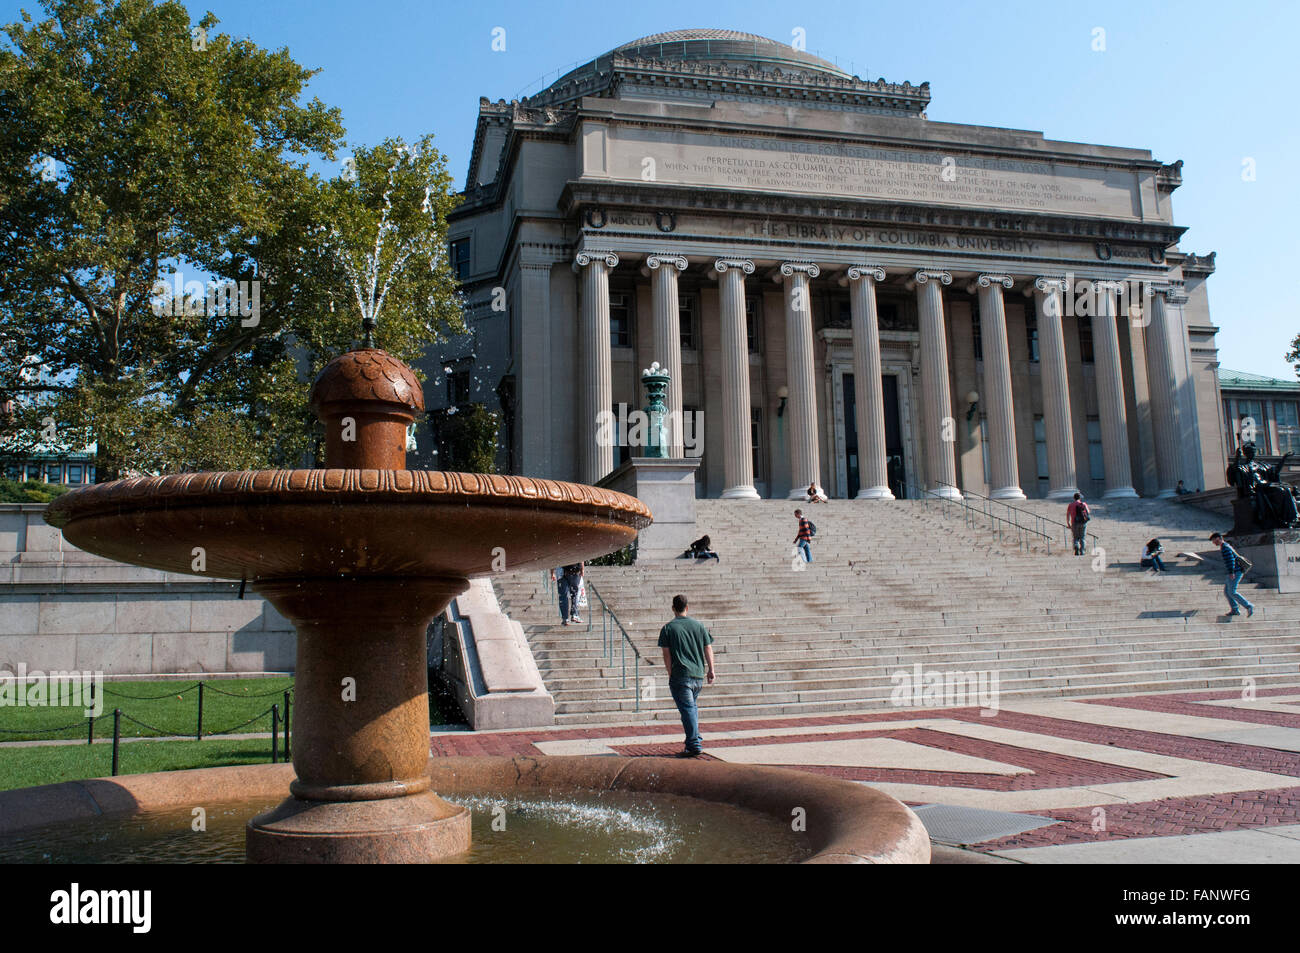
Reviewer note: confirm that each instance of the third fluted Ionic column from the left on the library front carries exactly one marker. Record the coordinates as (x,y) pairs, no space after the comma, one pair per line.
(738,447)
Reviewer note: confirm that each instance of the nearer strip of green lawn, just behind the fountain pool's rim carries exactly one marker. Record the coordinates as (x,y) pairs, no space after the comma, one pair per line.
(21,768)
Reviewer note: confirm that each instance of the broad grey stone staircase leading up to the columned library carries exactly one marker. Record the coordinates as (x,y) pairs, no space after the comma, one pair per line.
(905,583)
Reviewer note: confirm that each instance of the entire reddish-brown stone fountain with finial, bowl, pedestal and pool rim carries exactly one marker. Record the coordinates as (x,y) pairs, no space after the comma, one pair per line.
(361,557)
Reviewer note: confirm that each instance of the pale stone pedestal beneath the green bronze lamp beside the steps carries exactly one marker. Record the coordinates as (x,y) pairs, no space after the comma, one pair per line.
(668,487)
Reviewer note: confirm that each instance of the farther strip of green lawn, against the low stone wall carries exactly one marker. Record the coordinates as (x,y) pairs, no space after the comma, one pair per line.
(170,707)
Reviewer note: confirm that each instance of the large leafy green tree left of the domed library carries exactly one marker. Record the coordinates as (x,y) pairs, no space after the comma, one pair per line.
(136,148)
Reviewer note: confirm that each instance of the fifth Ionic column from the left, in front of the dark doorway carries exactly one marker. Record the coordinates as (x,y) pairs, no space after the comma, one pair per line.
(873,475)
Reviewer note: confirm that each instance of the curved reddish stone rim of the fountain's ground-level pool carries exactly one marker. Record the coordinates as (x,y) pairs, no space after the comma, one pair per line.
(846,822)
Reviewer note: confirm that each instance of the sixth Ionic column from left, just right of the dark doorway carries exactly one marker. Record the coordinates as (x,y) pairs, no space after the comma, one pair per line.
(939,428)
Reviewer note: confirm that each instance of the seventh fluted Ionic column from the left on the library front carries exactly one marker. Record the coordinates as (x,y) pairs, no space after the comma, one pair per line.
(1006,483)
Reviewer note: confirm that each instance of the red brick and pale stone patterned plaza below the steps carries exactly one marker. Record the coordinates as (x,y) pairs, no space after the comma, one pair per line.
(1169,778)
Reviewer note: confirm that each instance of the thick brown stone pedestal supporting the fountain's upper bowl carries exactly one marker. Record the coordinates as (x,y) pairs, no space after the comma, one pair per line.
(361,727)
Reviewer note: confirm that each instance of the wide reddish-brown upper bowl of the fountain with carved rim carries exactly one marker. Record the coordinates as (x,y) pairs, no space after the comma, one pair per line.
(322,523)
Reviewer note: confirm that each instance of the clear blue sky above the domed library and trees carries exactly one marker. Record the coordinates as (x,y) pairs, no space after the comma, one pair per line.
(1211,84)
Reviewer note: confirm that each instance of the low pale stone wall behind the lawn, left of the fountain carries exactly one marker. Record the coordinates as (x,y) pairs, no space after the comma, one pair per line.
(63,610)
